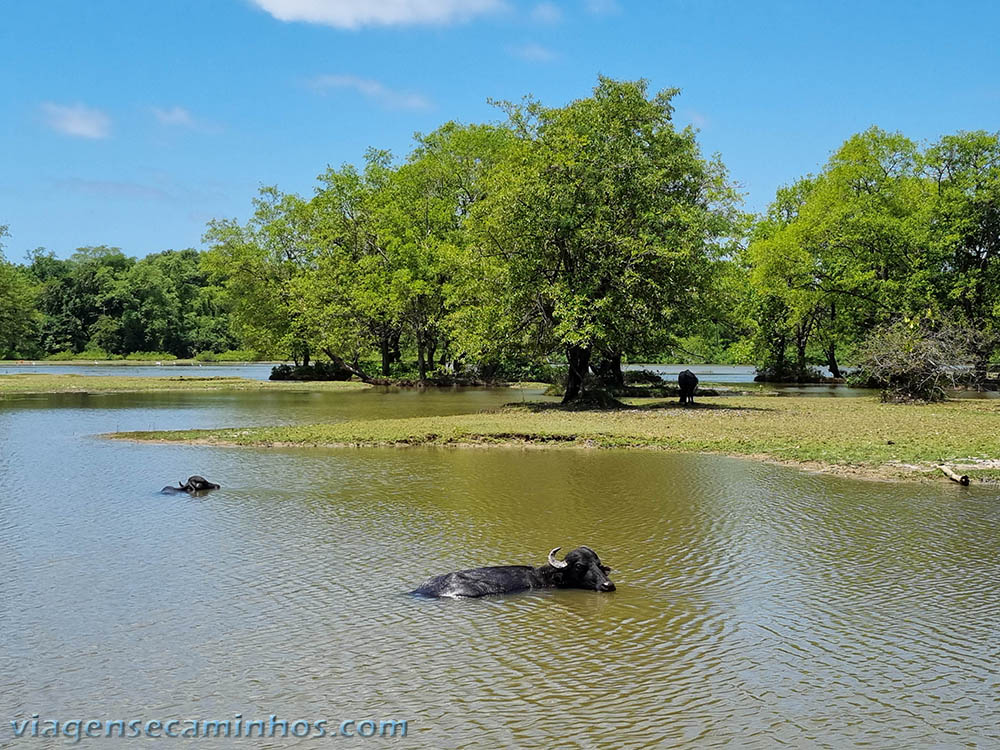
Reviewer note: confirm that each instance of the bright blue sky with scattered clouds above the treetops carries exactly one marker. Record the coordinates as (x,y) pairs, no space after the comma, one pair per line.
(133,122)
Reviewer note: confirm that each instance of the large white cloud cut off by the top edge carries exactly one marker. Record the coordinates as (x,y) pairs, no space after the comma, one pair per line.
(354,14)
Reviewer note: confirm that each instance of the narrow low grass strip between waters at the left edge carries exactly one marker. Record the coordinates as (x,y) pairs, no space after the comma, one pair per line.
(44,383)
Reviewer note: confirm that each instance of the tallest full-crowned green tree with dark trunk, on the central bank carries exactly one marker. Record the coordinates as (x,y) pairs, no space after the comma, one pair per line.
(603,219)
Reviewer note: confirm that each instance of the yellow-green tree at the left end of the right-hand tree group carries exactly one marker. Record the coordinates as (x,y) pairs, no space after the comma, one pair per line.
(840,253)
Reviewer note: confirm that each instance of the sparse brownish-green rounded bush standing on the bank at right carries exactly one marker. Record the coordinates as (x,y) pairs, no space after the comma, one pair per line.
(915,361)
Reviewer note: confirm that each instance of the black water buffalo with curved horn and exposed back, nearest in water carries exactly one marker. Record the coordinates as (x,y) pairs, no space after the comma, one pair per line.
(581,569)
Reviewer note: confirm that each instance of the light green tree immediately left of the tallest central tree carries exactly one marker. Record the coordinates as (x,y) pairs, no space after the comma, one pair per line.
(390,249)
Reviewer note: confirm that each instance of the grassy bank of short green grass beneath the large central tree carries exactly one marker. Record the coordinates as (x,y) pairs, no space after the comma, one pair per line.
(855,436)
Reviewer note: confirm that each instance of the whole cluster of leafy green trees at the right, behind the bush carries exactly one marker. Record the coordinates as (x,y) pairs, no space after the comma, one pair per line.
(885,232)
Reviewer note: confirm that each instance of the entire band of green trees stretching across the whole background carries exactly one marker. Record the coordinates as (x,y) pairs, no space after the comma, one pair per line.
(590,234)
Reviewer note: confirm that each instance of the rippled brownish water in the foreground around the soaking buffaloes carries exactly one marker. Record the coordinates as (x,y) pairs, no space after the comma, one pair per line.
(757,606)
